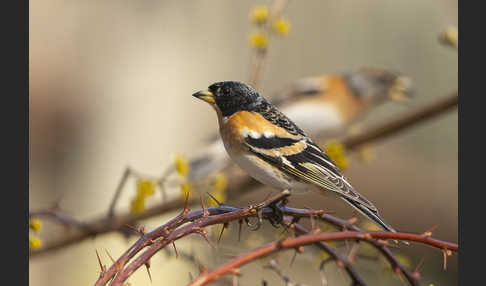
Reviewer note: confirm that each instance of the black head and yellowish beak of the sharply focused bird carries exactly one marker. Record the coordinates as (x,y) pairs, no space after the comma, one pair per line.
(231,96)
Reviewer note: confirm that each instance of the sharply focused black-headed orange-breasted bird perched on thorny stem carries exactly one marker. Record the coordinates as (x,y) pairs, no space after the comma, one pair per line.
(274,150)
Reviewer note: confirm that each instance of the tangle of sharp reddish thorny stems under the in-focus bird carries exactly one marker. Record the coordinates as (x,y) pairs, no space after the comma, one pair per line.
(187,223)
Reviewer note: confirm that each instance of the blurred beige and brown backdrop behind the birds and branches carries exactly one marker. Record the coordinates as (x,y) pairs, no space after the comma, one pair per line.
(110,86)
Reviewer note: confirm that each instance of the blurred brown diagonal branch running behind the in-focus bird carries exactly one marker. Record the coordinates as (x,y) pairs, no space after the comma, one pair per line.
(239,183)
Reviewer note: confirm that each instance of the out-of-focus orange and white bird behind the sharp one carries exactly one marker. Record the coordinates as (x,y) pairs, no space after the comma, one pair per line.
(325,106)
